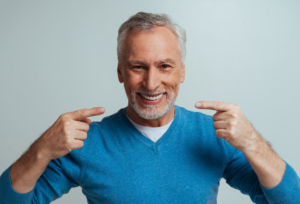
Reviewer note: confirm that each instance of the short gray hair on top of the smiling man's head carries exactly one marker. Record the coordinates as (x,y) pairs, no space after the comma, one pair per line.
(145,21)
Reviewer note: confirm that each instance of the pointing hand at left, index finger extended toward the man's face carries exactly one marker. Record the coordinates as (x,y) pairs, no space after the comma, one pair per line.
(66,134)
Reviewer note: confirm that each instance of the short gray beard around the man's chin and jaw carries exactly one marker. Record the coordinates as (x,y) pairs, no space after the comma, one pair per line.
(148,111)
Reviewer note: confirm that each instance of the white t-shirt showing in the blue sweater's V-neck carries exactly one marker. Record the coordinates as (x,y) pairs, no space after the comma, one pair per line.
(153,133)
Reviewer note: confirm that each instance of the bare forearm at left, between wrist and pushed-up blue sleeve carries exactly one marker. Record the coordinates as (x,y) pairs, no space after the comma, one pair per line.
(27,169)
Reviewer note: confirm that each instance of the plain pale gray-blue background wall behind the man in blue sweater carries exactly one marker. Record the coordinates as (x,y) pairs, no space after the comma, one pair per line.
(60,56)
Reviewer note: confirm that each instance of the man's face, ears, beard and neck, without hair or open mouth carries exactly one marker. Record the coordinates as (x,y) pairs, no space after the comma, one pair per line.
(152,65)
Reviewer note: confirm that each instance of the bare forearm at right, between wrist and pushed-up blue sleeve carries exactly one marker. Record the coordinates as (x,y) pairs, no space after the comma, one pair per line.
(268,166)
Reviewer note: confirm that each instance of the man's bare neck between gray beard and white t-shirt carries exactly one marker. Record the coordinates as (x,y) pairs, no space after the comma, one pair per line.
(135,117)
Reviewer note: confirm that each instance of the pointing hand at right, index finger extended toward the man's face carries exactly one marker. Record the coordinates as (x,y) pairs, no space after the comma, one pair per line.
(231,124)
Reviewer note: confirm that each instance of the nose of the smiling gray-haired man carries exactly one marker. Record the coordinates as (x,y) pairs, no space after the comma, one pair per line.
(152,79)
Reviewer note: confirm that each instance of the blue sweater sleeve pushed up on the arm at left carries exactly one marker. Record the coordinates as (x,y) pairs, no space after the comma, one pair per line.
(60,176)
